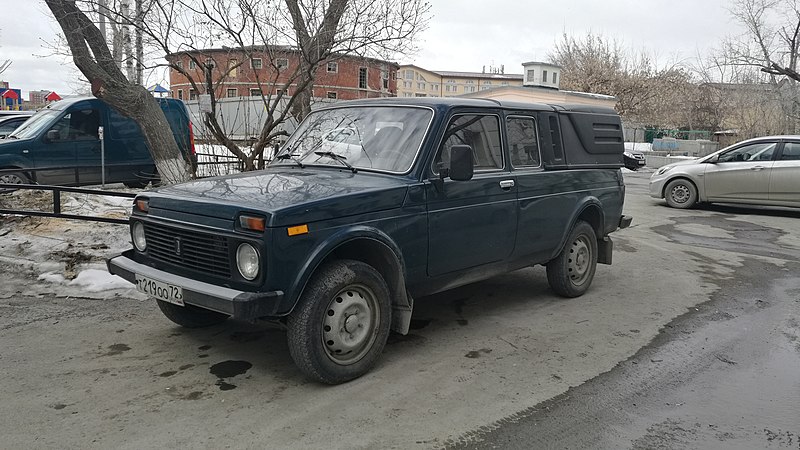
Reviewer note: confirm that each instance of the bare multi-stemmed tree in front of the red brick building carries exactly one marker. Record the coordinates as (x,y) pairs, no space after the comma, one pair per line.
(318,31)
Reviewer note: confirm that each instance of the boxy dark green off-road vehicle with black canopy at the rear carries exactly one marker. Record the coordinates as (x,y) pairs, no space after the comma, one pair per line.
(434,194)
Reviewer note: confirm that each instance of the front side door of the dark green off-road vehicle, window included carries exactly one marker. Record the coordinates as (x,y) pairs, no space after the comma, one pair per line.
(471,223)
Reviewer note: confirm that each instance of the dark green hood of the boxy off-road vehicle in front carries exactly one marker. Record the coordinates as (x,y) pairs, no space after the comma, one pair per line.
(285,196)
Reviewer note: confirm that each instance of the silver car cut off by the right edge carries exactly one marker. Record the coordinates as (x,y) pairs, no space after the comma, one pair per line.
(763,171)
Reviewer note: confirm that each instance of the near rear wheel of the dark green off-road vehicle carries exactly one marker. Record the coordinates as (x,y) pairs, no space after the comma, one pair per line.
(571,272)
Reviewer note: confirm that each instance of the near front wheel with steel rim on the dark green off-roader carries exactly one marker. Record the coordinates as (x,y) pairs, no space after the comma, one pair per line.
(340,326)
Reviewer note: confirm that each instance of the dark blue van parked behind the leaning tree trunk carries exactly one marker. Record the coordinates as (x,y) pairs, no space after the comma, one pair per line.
(60,145)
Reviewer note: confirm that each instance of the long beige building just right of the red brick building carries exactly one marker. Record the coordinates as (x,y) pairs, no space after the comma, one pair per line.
(414,81)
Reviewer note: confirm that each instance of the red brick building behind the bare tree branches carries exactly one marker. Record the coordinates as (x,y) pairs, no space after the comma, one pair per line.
(343,78)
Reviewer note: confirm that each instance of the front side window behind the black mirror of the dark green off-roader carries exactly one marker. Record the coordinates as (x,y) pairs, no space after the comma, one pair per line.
(481,133)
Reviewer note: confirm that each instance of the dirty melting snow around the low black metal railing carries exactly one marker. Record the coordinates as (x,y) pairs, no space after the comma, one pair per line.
(45,253)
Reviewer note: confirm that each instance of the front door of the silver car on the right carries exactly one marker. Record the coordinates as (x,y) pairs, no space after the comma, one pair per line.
(742,173)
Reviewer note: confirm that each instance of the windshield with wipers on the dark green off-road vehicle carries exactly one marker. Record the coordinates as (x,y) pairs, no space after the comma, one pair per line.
(383,138)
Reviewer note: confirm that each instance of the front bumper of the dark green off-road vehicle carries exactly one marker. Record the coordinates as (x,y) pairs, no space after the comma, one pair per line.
(238,304)
